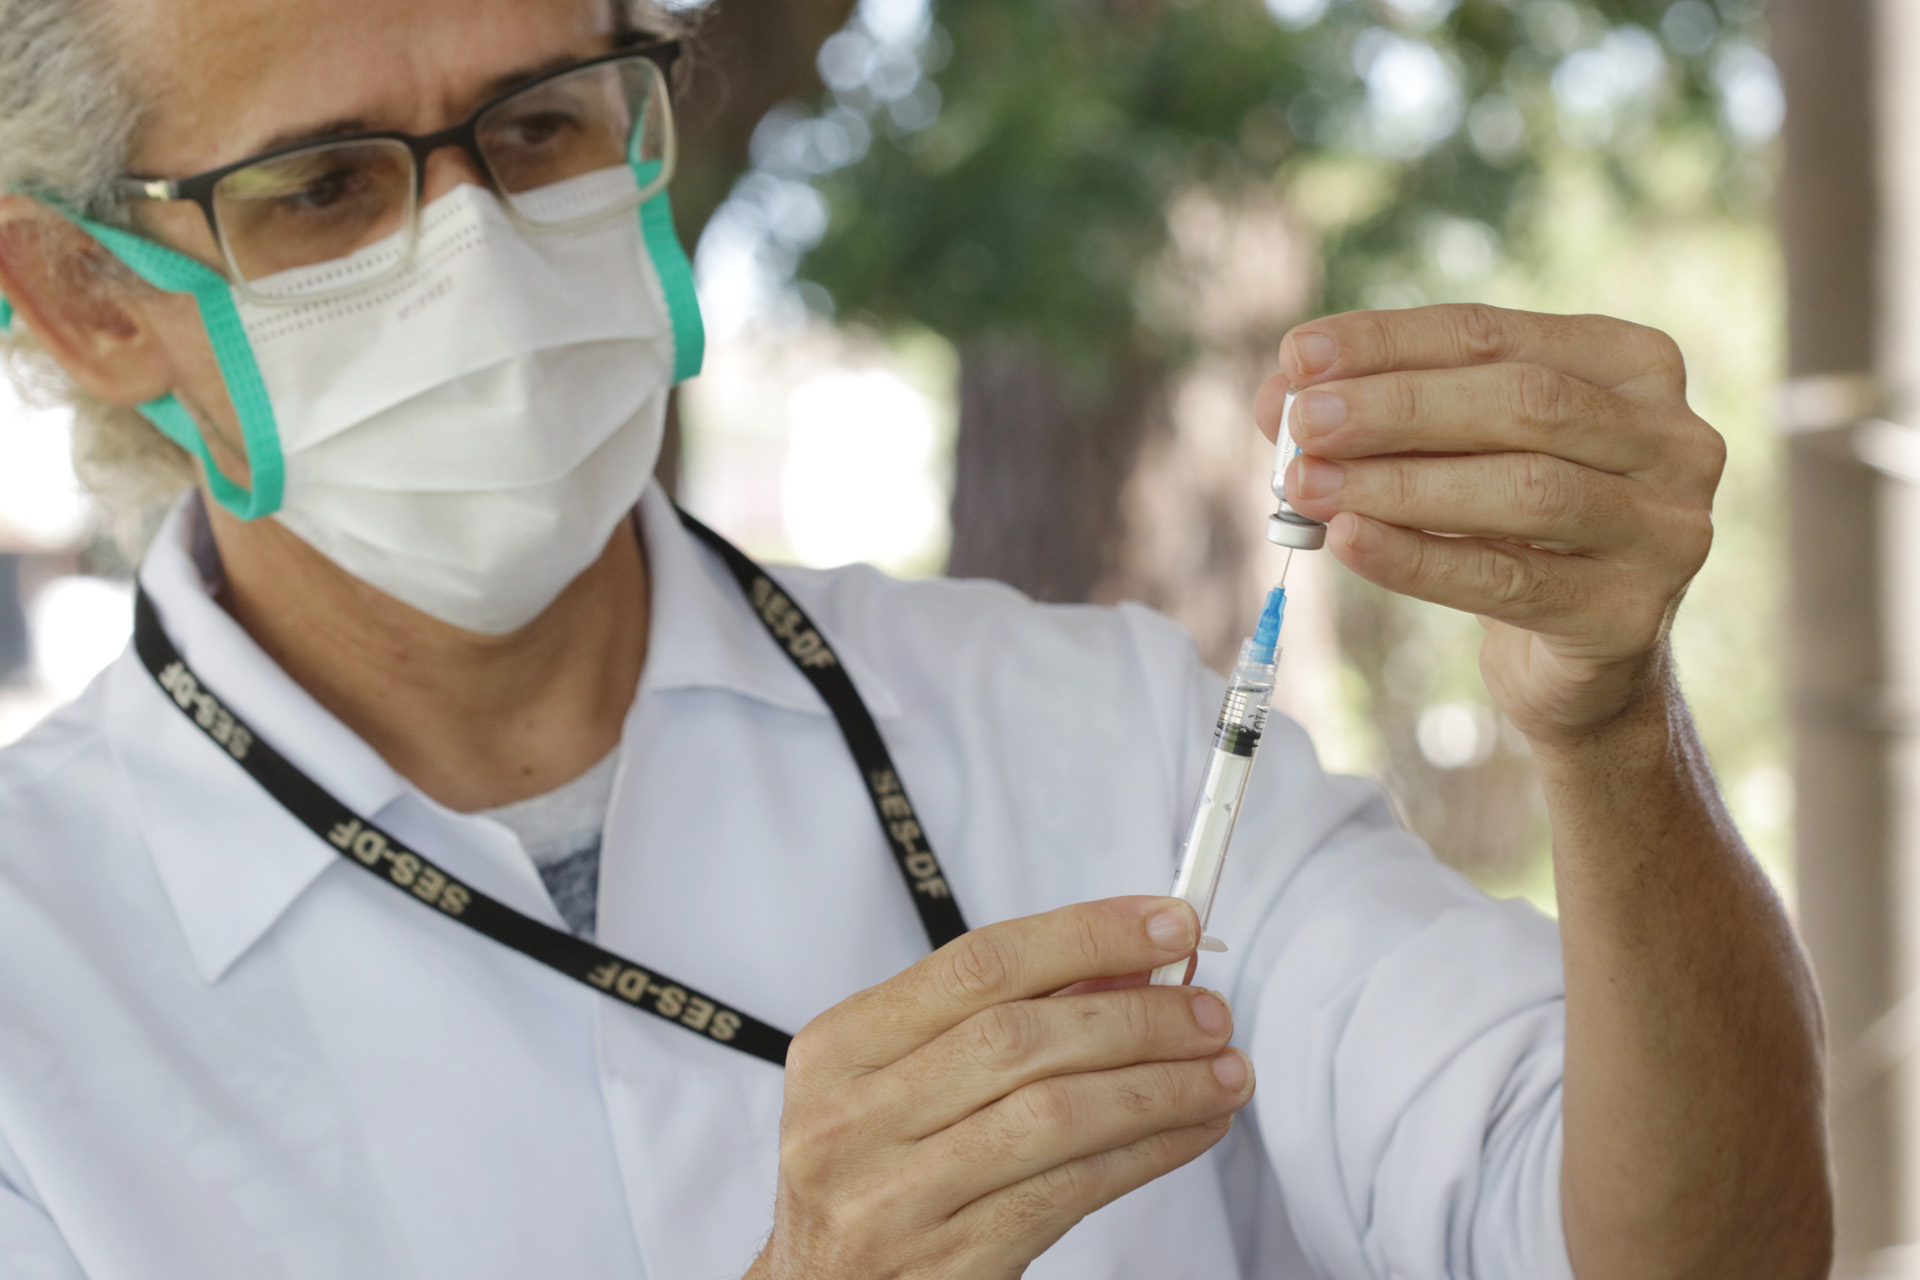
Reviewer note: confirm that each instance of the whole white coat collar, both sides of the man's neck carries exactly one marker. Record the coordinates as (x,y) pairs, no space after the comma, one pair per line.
(229,857)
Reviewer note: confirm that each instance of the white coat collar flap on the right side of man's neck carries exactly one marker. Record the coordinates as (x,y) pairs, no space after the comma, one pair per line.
(706,636)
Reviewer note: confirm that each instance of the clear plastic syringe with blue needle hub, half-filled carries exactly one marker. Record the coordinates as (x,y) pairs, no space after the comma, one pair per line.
(1243,719)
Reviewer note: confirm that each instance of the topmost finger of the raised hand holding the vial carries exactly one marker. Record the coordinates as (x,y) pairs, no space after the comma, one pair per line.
(1610,354)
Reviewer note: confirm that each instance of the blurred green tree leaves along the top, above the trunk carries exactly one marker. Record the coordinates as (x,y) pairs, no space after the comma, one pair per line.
(1032,199)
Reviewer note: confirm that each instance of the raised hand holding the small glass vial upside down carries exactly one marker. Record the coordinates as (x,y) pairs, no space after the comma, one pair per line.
(1539,471)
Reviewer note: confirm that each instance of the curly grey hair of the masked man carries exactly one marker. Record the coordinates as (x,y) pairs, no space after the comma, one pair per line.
(68,128)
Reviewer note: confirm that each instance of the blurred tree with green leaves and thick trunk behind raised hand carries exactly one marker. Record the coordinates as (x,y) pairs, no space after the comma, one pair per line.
(1074,195)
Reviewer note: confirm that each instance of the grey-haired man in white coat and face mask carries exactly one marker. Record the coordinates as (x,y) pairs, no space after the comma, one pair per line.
(435,884)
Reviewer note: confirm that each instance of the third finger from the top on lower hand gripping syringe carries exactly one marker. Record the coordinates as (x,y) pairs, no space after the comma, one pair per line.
(1070,1118)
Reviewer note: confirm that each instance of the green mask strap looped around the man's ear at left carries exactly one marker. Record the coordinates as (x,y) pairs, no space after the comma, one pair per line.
(176,273)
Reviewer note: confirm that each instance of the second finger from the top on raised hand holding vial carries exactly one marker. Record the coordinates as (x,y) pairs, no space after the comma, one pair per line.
(1479,410)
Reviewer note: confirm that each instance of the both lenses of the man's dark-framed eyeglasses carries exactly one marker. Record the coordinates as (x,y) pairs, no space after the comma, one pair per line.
(565,151)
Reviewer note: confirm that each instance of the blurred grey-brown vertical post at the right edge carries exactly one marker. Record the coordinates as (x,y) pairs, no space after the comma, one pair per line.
(1836,195)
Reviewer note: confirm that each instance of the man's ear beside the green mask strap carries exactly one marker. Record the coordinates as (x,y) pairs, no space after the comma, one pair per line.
(85,310)
